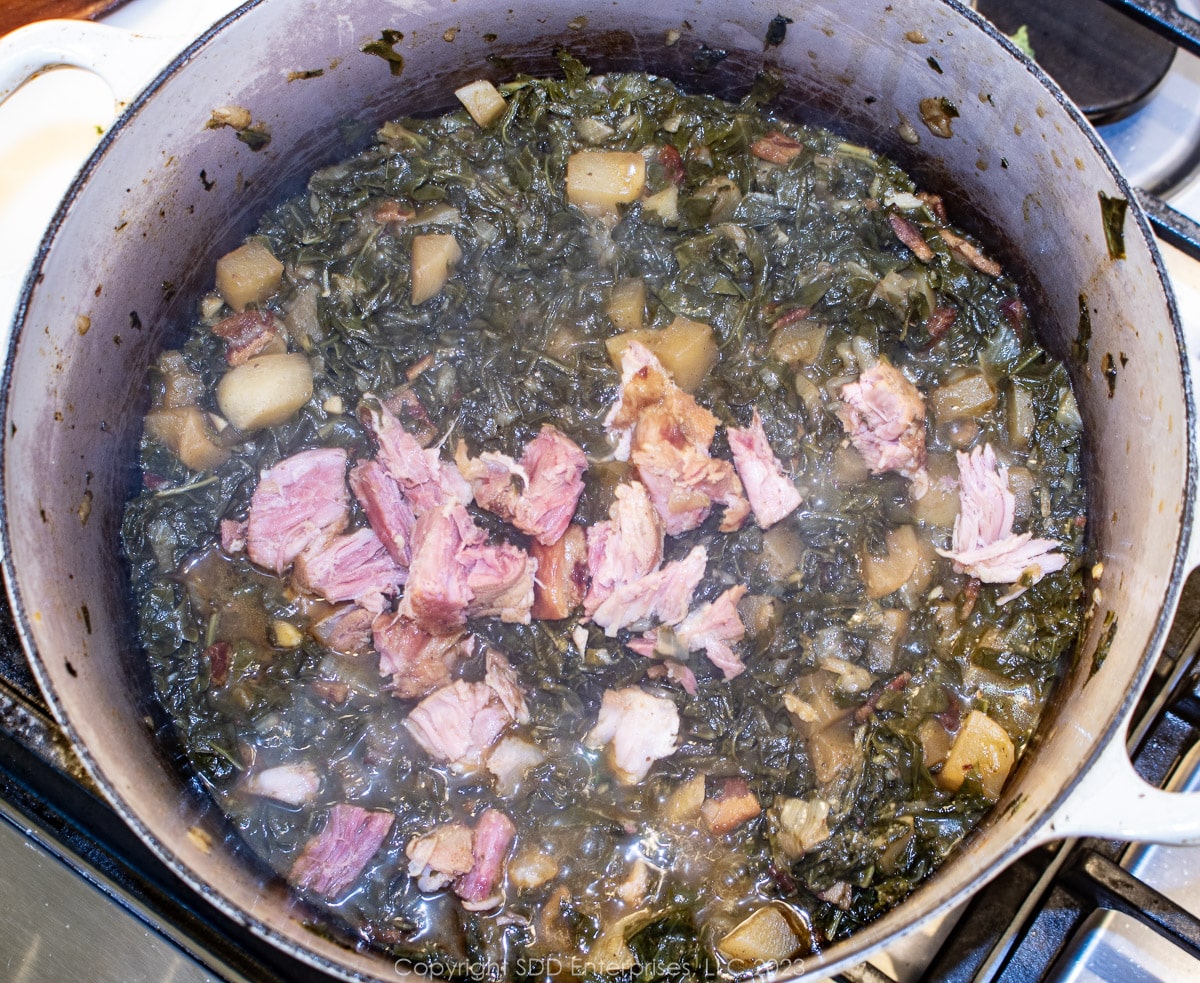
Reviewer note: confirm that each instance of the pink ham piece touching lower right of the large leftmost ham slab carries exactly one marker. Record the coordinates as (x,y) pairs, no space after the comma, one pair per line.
(350,568)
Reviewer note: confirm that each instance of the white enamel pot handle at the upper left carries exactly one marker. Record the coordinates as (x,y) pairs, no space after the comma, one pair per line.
(127,62)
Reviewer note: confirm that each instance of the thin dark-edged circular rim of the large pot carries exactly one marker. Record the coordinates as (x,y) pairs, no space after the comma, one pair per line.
(873,937)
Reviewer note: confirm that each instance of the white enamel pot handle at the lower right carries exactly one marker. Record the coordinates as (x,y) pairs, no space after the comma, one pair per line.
(1113,802)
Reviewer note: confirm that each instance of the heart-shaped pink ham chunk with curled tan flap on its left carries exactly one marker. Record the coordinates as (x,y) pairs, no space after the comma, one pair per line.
(550,476)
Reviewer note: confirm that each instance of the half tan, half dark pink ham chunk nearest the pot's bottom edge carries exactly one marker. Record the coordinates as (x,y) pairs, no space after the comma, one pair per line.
(471,860)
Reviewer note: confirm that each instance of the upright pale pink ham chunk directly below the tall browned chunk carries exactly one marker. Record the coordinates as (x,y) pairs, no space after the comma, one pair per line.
(626,548)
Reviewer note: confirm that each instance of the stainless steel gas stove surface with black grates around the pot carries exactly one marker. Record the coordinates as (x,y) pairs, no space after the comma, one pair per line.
(82,898)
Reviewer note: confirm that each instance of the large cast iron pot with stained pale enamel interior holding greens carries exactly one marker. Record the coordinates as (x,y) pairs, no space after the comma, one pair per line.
(164,196)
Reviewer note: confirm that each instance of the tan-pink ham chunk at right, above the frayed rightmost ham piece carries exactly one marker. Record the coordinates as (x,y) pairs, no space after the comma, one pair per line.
(885,417)
